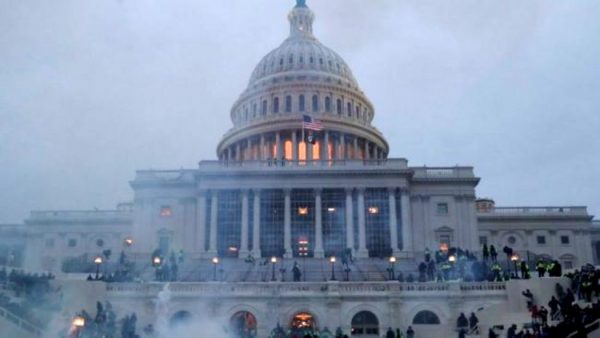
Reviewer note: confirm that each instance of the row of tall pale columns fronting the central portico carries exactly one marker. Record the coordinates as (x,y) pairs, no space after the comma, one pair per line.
(360,252)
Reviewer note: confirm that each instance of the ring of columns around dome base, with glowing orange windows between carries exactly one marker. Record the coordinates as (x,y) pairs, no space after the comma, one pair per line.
(271,146)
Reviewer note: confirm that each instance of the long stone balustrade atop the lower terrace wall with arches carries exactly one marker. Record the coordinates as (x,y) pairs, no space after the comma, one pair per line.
(213,289)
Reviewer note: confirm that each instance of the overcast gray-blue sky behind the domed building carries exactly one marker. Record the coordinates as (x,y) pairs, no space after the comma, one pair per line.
(92,90)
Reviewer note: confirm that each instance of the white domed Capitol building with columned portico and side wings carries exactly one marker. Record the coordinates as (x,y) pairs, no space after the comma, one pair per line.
(272,194)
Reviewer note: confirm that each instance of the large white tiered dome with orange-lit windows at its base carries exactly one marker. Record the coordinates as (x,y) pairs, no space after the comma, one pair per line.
(301,78)
